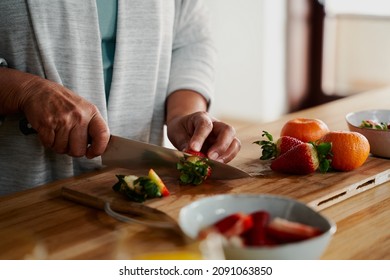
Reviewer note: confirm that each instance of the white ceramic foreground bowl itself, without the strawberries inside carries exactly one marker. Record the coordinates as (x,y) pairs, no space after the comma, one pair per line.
(205,212)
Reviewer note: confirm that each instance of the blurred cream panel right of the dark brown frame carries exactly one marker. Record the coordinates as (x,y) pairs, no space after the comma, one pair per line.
(356,46)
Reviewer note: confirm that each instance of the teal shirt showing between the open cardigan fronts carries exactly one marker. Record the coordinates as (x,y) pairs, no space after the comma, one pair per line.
(107,12)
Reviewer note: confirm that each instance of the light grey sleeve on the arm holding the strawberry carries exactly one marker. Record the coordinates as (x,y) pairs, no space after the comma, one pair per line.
(194,54)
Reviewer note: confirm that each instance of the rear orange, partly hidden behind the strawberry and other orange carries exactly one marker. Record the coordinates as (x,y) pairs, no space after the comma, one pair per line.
(306,130)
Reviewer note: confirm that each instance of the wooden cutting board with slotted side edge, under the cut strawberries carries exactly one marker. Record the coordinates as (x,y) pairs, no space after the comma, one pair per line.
(317,190)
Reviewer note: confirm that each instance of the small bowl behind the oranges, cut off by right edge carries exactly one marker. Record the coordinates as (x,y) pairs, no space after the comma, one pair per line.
(379,139)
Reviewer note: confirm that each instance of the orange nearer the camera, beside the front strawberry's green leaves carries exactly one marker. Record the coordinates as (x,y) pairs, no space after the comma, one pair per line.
(350,149)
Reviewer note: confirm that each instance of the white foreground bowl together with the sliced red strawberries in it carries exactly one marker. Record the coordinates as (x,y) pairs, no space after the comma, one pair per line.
(259,226)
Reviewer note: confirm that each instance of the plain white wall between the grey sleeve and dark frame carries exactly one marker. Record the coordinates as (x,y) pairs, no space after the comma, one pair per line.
(250,38)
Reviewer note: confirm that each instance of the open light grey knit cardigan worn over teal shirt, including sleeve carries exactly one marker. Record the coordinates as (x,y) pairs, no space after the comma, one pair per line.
(162,46)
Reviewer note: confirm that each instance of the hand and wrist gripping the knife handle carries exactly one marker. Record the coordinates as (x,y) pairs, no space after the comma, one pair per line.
(64,121)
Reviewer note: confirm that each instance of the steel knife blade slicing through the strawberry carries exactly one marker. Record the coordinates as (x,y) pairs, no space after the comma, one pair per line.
(132,154)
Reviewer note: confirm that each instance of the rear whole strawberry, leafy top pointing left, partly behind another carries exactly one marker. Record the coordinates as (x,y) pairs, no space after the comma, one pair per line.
(271,149)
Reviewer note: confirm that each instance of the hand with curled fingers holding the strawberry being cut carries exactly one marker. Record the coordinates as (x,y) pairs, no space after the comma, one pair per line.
(201,132)
